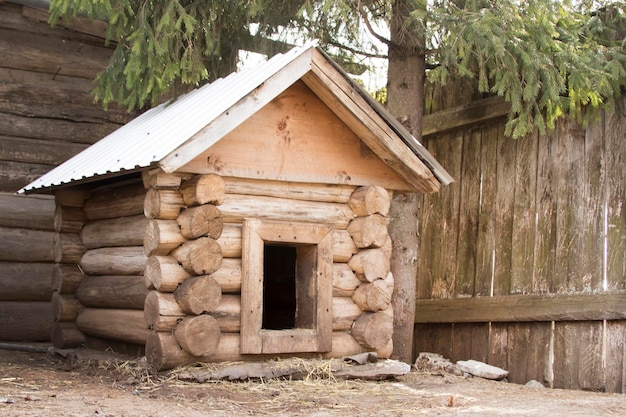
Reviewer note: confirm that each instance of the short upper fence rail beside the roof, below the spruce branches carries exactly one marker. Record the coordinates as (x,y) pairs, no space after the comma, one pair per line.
(473,113)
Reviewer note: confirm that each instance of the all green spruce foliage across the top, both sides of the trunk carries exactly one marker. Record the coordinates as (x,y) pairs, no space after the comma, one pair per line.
(549,58)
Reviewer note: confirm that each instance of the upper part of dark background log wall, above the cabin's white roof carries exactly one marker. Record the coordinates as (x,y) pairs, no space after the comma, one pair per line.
(47,112)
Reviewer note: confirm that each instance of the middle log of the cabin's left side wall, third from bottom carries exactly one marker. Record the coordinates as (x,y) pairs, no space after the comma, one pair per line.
(124,260)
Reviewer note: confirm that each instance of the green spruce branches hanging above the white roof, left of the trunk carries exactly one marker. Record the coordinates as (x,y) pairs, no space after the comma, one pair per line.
(164,48)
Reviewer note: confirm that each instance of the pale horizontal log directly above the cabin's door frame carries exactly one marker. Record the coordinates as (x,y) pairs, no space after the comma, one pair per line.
(236,207)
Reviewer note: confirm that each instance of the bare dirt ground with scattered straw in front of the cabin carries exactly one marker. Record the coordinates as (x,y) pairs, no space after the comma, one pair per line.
(107,385)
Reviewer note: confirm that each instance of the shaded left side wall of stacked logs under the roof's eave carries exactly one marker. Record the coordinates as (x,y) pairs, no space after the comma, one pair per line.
(102,284)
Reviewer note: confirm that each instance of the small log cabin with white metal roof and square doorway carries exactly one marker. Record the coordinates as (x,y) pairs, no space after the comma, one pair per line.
(247,218)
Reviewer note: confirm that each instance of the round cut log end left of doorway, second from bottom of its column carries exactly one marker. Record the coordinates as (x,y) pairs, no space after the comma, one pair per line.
(198,295)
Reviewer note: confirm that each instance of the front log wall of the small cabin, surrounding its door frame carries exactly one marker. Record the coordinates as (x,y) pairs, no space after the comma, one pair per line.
(186,327)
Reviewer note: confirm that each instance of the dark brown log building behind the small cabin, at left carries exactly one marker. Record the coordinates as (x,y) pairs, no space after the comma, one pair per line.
(47,115)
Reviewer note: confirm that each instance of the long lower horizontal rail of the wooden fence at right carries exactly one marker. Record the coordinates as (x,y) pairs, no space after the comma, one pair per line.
(514,308)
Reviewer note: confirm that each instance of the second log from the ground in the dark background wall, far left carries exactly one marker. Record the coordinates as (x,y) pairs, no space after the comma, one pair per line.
(28,281)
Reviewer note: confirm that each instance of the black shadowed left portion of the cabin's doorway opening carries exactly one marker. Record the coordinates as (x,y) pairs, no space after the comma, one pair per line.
(279,287)
